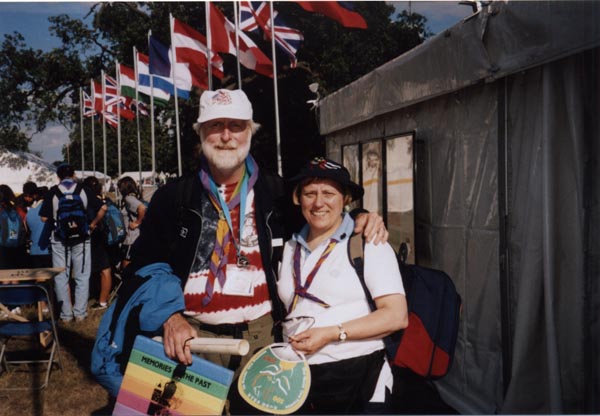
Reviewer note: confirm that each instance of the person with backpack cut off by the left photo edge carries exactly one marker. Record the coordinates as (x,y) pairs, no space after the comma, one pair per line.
(13,231)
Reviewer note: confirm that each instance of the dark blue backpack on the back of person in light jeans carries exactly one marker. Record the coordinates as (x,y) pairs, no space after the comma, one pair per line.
(71,218)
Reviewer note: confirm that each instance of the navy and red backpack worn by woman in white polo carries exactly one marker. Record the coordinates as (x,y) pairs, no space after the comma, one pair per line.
(426,346)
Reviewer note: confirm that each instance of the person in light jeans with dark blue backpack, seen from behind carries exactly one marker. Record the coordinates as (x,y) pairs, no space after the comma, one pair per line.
(69,207)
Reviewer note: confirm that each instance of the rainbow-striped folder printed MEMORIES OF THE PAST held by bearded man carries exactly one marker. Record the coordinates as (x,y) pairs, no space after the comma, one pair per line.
(155,384)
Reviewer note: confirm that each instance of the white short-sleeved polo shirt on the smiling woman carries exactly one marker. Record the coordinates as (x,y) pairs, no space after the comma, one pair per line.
(337,284)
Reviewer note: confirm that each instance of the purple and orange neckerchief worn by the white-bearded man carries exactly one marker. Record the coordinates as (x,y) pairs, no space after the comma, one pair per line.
(224,235)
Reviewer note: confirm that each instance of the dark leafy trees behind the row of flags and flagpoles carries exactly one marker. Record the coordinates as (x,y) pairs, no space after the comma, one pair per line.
(44,87)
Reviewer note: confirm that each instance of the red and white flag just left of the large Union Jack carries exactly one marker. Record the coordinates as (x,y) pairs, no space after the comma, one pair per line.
(223,40)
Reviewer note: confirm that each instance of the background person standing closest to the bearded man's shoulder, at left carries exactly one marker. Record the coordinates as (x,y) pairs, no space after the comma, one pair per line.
(134,211)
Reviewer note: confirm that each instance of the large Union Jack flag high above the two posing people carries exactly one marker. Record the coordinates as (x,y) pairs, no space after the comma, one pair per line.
(256,14)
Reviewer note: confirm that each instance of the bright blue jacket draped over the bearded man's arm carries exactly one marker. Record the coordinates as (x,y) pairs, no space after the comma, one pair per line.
(157,296)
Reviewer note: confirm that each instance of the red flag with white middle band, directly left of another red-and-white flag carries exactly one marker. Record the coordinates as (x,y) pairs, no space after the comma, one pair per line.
(190,48)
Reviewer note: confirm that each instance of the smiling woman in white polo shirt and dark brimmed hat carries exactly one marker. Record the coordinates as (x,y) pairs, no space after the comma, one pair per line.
(343,343)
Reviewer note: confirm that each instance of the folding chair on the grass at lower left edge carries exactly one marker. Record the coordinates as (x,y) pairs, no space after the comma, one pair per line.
(12,295)
